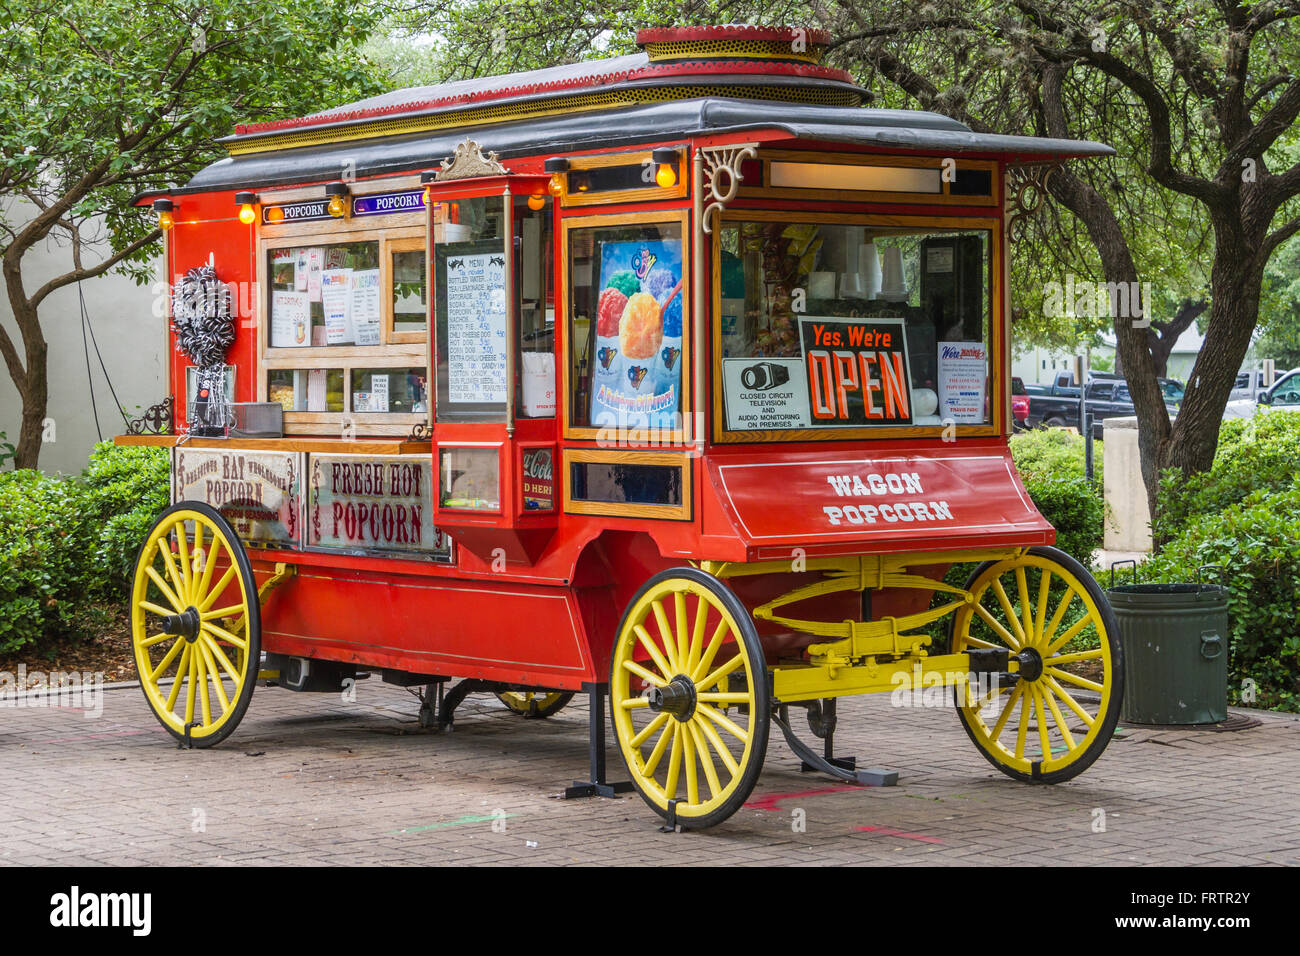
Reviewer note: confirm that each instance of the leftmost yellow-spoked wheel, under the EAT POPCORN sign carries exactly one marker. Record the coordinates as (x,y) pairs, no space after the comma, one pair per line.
(196,625)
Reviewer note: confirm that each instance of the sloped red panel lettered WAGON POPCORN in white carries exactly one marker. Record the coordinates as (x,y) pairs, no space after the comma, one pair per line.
(865,501)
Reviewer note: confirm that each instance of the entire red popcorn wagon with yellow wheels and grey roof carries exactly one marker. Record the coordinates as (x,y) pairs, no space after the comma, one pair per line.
(678,379)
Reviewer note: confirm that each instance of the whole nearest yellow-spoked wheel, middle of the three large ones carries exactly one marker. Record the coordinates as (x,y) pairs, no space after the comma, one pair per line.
(690,698)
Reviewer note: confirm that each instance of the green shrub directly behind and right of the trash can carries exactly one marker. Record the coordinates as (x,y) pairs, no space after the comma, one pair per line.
(1256,543)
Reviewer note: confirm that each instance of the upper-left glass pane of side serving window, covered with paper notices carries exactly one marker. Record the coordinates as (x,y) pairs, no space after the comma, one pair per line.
(324,295)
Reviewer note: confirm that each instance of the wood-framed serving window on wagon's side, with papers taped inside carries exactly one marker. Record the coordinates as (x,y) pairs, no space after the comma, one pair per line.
(344,344)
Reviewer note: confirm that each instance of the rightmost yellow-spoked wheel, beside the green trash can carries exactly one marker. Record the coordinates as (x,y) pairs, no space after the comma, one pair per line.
(1054,720)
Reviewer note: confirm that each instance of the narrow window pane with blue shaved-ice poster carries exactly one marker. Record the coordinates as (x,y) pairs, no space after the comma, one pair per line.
(627,309)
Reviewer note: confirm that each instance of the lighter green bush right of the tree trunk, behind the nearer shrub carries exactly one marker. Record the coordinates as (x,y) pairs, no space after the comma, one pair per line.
(1258,455)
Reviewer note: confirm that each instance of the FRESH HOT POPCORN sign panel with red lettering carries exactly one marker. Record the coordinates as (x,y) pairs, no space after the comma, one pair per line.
(375,504)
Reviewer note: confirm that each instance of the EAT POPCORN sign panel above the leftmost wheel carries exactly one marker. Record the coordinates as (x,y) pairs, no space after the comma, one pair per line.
(258,492)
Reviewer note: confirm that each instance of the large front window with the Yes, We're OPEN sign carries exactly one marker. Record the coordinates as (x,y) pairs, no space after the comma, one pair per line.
(843,327)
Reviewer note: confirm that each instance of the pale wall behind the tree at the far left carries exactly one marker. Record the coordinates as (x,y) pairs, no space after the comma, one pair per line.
(131,339)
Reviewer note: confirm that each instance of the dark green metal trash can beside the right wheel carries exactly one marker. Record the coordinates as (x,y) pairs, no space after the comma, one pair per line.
(1176,641)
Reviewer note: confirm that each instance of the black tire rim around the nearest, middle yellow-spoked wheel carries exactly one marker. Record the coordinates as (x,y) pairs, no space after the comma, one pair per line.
(760,723)
